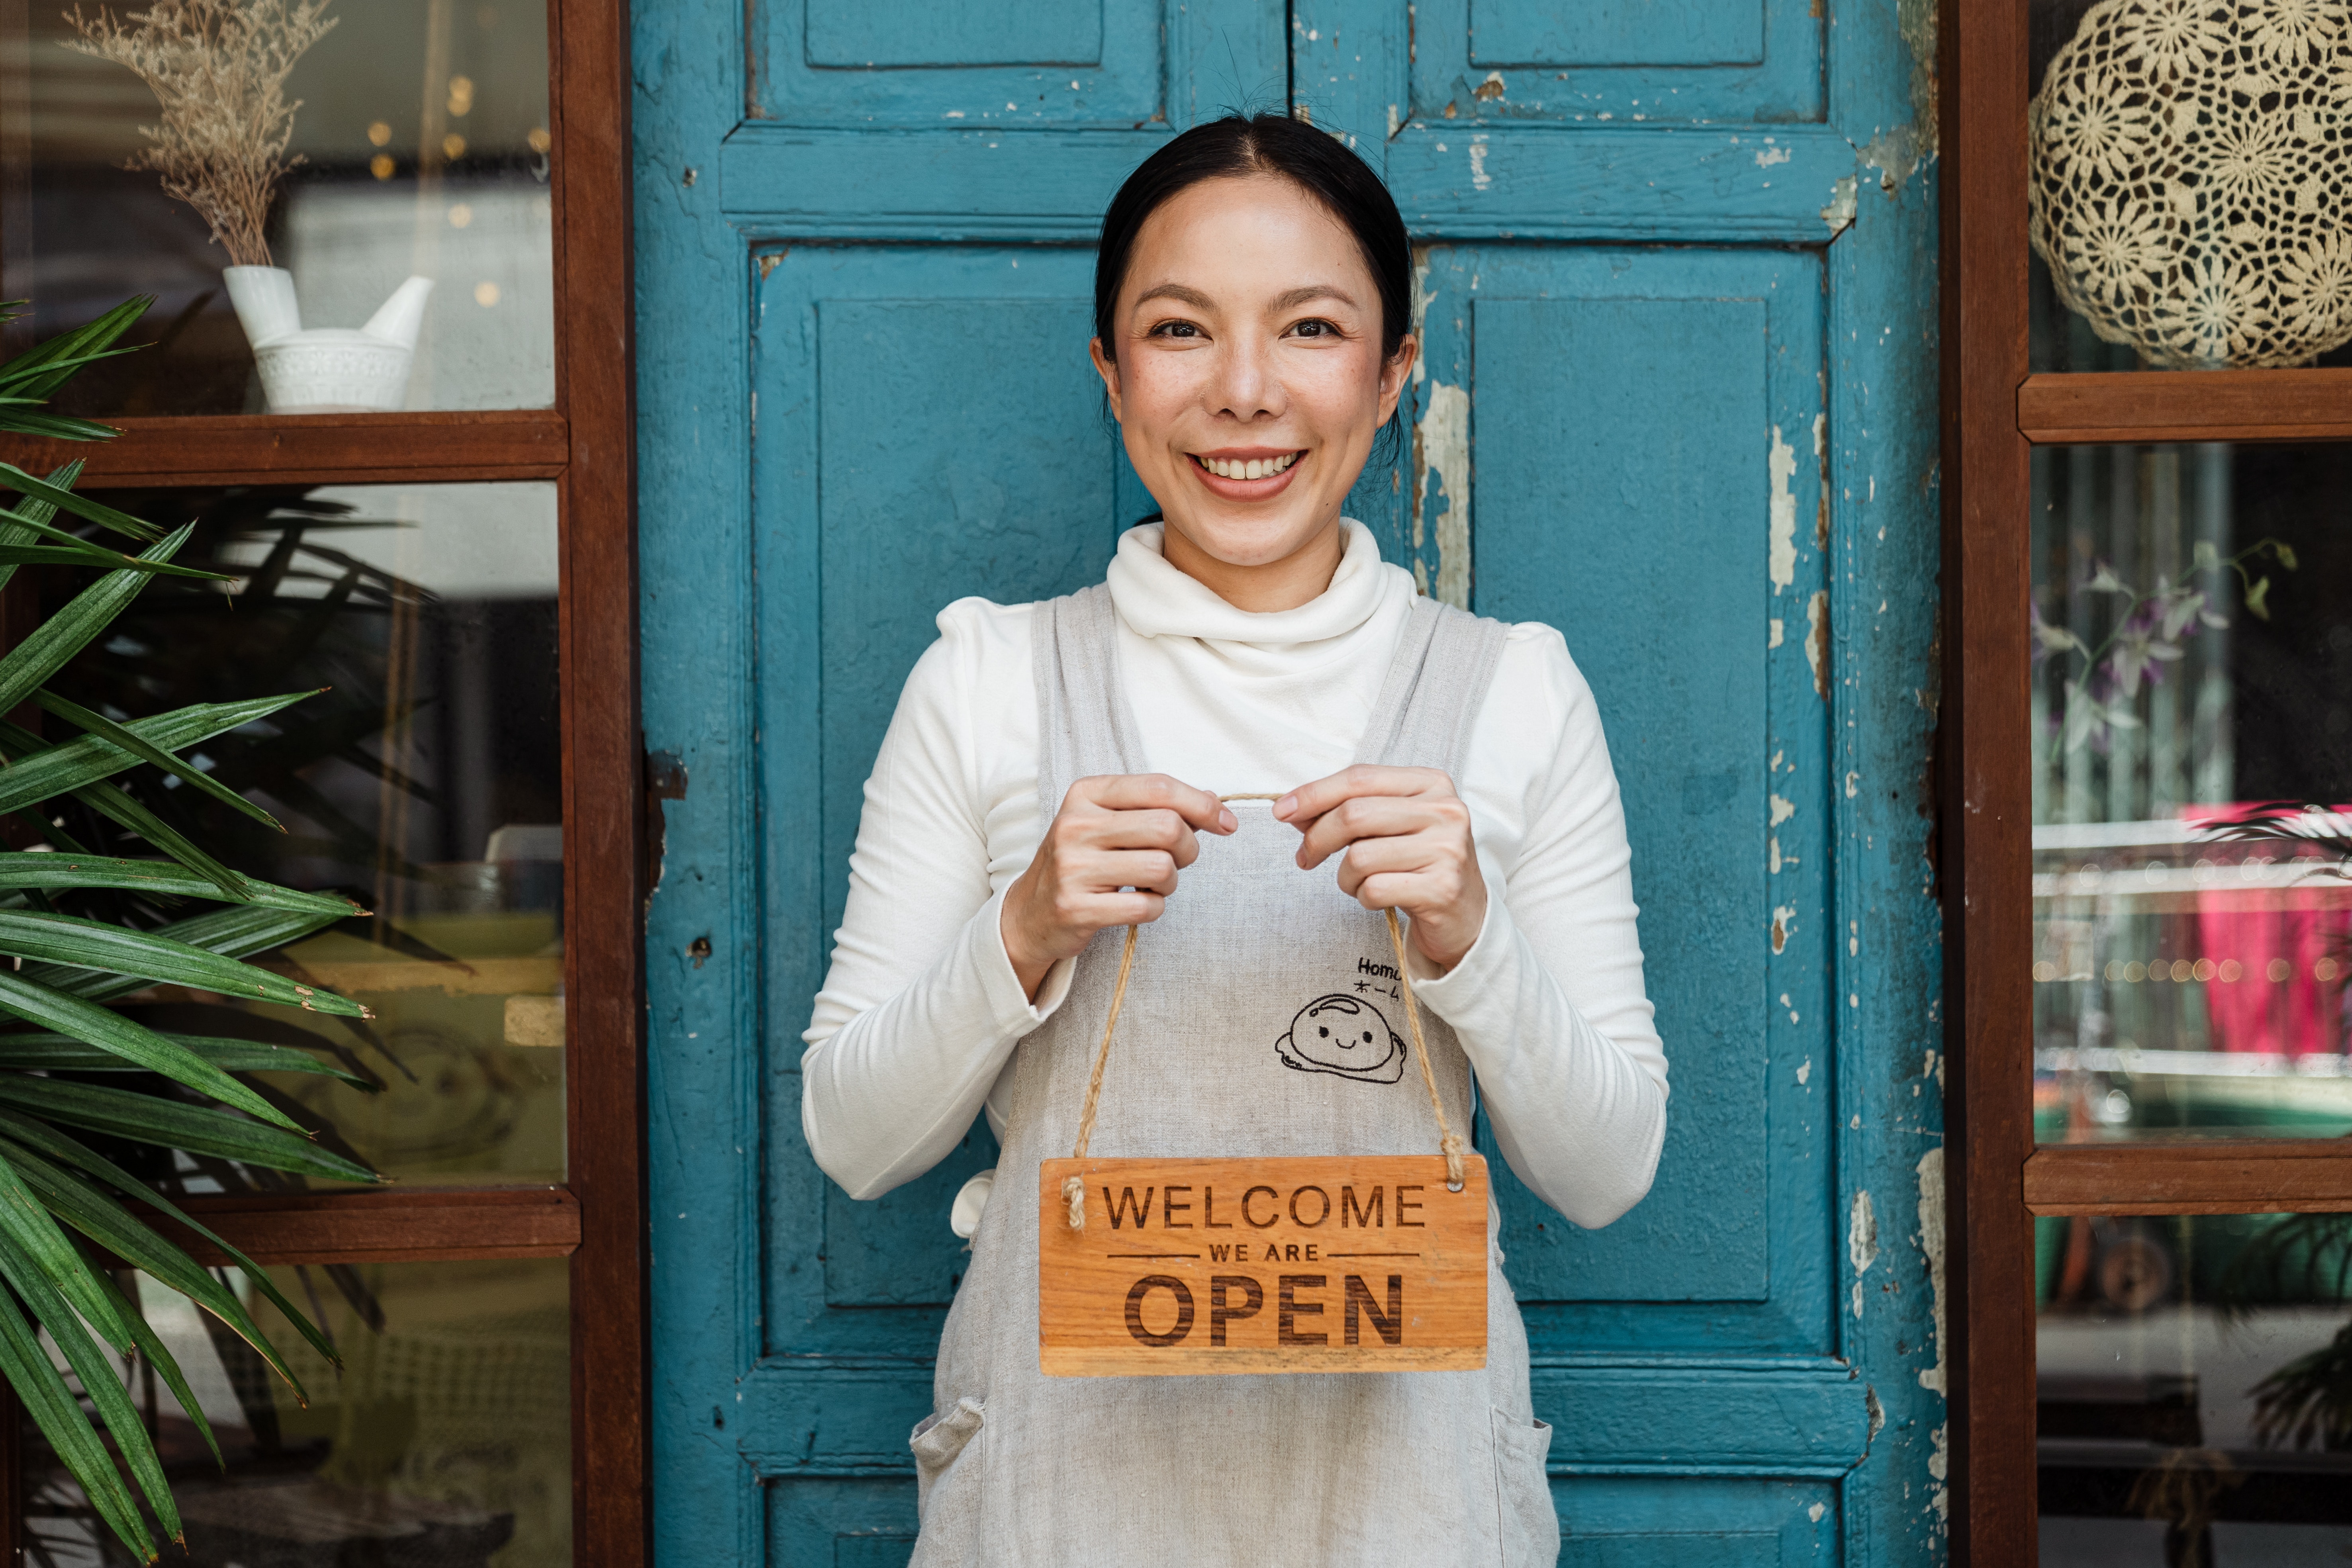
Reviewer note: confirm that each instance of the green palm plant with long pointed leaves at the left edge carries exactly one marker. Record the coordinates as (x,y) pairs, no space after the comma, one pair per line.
(58,1195)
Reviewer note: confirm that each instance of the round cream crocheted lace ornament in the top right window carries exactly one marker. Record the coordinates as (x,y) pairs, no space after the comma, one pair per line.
(2189,177)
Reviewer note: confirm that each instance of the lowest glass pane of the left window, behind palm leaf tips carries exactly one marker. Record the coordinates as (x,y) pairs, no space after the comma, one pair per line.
(446,1438)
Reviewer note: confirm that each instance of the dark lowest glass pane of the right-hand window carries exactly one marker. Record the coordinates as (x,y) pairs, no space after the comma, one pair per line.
(2196,1391)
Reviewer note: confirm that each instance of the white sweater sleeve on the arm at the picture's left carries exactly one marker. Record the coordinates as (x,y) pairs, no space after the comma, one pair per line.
(923,1010)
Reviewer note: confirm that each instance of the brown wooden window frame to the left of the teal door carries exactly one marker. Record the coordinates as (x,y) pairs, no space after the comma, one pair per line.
(587,445)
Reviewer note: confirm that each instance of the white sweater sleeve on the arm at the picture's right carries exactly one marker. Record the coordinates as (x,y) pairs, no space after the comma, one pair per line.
(1549,1003)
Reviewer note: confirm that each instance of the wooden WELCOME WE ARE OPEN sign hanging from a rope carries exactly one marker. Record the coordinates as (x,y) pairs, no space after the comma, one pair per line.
(1262,1266)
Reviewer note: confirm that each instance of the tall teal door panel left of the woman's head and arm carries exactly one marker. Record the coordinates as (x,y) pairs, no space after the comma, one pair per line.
(878,502)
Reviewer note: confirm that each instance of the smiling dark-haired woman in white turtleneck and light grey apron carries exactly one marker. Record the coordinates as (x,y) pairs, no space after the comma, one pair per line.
(1055,775)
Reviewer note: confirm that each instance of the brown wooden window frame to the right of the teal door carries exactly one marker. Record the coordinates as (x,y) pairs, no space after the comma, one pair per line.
(1996,410)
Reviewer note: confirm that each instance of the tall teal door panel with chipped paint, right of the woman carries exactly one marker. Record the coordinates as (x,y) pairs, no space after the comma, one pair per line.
(1631,514)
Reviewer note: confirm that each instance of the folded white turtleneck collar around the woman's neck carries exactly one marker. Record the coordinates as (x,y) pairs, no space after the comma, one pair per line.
(1158,601)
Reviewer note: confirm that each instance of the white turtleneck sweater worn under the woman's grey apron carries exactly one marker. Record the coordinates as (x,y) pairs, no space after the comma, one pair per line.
(921,1014)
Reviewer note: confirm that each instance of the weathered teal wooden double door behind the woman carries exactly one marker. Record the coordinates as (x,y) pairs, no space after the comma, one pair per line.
(1676,286)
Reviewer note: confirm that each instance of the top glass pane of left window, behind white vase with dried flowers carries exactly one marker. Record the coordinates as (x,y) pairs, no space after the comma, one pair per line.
(422,140)
